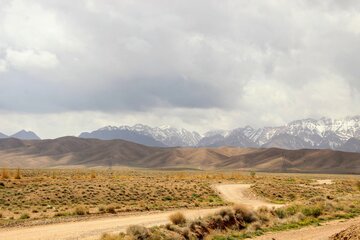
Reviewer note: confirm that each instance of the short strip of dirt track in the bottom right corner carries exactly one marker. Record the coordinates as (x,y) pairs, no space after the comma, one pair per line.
(312,233)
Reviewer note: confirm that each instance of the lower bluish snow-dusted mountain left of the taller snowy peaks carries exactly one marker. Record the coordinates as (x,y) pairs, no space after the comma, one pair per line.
(142,134)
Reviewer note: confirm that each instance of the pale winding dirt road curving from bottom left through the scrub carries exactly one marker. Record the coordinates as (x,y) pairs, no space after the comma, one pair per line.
(93,229)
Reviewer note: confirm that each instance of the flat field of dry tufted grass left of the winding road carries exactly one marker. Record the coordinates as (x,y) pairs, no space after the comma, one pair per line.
(58,193)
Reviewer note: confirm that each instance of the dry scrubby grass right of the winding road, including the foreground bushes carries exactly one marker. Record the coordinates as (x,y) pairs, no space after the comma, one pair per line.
(307,203)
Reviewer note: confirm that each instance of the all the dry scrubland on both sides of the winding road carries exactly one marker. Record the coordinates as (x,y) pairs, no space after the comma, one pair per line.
(35,196)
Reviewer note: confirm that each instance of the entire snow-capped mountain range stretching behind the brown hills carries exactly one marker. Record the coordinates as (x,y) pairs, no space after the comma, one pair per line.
(325,133)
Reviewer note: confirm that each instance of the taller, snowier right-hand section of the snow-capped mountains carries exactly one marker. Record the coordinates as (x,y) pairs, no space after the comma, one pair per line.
(324,133)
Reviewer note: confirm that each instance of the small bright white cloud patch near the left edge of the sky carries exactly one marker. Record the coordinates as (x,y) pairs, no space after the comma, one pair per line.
(30,60)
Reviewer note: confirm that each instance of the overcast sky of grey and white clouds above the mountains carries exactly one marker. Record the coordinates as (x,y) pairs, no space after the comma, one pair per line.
(73,66)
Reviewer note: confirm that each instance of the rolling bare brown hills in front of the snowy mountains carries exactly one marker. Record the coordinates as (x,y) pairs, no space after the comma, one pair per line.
(72,151)
